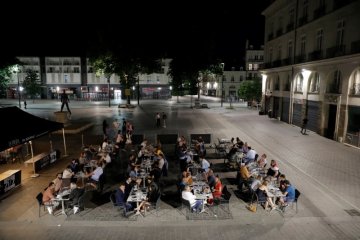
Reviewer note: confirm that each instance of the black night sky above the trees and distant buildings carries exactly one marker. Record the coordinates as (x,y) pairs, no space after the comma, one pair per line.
(166,28)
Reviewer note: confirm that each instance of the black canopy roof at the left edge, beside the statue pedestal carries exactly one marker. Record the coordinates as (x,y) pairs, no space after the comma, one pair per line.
(18,127)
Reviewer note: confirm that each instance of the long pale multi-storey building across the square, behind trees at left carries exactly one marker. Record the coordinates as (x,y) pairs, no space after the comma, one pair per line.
(81,82)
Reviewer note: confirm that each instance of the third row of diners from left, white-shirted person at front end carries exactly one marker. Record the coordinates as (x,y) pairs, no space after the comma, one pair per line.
(197,184)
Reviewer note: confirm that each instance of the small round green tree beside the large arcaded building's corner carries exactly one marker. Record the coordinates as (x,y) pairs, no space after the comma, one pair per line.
(250,90)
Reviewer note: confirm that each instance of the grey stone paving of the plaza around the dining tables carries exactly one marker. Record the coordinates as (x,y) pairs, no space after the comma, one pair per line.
(326,173)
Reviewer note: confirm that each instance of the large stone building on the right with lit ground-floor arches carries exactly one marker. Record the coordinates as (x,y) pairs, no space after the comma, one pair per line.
(312,66)
